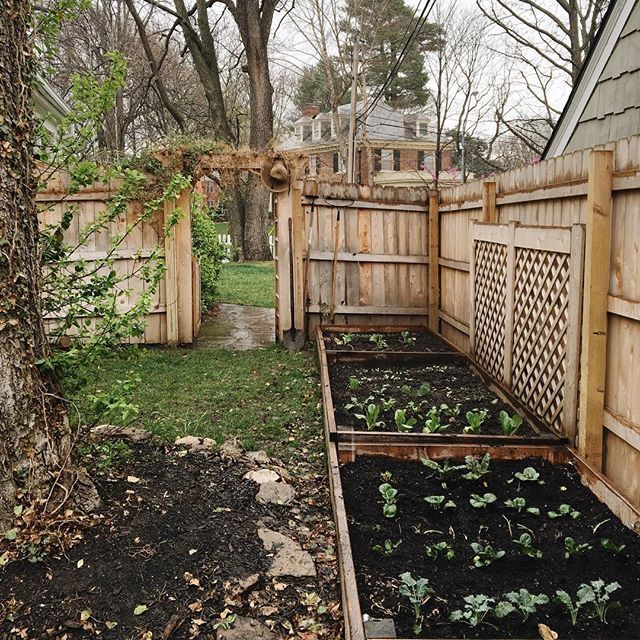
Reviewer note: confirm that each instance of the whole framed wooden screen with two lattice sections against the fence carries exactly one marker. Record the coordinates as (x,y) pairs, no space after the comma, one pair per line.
(526,293)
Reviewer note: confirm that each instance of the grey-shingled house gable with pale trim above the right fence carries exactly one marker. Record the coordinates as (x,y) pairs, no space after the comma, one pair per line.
(586,84)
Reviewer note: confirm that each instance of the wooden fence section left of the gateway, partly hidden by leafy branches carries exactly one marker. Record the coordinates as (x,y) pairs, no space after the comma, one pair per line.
(174,316)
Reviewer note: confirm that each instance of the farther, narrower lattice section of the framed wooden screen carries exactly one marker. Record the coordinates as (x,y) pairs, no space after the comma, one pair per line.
(490,307)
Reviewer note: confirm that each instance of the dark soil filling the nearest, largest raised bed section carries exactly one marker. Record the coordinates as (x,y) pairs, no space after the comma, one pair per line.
(418,525)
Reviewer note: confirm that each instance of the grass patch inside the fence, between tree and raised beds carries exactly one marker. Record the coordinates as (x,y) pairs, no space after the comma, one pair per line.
(268,398)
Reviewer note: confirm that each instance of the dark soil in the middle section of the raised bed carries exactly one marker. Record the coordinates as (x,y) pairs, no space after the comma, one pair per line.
(448,384)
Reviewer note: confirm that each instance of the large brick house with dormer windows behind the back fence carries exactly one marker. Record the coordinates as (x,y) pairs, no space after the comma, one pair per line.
(392,148)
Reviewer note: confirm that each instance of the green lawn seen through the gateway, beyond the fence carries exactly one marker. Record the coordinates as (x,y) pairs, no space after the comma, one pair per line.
(251,283)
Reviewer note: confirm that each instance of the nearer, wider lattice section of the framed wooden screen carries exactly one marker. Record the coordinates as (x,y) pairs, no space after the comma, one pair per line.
(540,331)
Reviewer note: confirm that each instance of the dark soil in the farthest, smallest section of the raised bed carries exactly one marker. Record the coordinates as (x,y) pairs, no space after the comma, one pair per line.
(410,341)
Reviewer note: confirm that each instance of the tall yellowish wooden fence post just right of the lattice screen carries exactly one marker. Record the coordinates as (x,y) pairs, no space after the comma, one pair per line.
(594,307)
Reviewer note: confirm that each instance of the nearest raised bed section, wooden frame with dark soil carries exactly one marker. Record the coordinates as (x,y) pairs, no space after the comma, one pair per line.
(371,578)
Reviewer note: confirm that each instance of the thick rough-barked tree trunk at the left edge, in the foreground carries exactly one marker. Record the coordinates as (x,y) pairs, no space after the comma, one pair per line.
(34,434)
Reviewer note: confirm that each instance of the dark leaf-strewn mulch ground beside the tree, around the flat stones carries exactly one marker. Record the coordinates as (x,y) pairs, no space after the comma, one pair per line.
(176,533)
